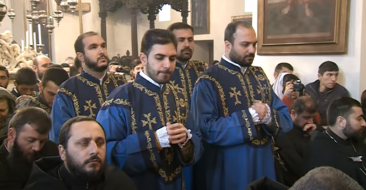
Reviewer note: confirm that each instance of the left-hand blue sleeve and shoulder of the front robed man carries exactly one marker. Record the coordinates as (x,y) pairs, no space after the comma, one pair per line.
(125,149)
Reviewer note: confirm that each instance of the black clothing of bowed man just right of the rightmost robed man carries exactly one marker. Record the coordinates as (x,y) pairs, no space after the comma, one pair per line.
(292,149)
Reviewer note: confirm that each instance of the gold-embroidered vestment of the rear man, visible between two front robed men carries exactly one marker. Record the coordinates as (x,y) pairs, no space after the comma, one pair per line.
(186,77)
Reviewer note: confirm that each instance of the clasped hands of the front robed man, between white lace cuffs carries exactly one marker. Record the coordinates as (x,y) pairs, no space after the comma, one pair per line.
(177,133)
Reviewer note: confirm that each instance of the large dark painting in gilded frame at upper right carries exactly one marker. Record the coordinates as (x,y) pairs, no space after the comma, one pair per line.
(302,27)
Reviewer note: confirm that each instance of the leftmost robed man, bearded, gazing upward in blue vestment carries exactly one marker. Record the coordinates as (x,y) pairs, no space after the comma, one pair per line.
(85,93)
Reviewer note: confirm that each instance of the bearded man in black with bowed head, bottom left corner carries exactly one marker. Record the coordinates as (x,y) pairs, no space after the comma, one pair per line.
(26,142)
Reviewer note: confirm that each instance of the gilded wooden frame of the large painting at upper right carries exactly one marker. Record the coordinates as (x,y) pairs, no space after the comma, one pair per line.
(338,46)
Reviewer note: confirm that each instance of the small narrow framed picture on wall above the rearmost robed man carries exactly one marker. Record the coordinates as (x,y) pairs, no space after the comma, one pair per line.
(200,16)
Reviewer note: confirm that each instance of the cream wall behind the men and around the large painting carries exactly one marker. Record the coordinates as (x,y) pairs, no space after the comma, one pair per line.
(118,31)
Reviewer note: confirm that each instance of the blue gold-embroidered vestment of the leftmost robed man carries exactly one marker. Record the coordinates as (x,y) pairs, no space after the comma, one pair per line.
(81,95)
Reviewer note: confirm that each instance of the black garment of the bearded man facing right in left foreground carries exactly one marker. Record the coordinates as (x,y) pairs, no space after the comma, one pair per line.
(51,173)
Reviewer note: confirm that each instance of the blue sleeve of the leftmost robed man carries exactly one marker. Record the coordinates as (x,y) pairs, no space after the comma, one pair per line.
(62,110)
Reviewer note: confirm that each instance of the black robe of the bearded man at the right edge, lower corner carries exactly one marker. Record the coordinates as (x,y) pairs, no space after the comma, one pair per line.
(337,153)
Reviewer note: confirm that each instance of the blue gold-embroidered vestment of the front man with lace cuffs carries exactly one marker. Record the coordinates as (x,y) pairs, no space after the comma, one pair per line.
(130,117)
